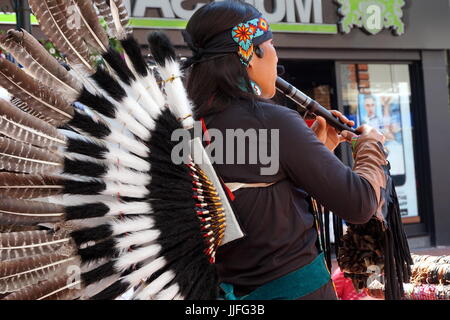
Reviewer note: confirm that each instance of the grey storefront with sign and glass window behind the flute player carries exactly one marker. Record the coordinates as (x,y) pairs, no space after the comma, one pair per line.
(382,62)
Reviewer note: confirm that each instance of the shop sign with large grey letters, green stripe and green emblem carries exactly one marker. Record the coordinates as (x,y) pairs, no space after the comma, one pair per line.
(295,16)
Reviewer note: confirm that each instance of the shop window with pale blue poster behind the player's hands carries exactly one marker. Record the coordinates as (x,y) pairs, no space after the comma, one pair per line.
(380,95)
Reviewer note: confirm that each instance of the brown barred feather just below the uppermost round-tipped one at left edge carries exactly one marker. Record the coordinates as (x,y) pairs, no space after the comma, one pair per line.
(38,97)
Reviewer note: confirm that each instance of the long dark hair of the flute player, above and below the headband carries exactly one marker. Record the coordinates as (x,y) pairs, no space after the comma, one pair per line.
(214,84)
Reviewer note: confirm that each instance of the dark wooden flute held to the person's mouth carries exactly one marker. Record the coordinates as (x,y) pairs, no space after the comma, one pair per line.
(311,105)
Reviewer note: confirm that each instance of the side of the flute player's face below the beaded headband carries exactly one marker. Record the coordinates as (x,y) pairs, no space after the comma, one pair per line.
(263,70)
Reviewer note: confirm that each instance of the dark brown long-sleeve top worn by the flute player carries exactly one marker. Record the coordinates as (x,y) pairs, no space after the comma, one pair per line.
(280,235)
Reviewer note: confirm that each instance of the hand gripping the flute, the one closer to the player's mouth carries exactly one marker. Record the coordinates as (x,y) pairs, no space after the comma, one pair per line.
(328,134)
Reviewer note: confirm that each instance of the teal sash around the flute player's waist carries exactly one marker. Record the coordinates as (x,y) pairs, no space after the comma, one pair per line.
(289,287)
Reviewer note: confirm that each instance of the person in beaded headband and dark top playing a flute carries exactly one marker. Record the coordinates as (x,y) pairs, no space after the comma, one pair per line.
(232,76)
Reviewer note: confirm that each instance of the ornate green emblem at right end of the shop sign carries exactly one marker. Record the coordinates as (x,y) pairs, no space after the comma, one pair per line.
(371,15)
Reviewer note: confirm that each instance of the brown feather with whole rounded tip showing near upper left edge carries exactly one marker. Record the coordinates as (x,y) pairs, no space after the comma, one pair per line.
(39,63)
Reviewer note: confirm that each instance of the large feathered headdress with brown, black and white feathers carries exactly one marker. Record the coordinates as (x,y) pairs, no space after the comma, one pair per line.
(85,164)
